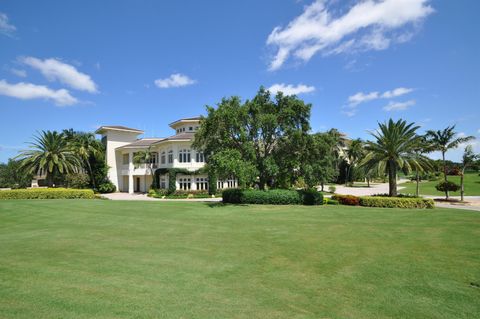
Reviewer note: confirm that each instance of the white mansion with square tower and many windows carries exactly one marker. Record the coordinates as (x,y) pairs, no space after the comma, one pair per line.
(170,152)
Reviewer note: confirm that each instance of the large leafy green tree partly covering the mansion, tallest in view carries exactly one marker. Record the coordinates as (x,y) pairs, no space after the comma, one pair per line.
(264,131)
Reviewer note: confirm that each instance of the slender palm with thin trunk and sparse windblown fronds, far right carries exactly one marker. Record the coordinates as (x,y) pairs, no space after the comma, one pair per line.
(444,140)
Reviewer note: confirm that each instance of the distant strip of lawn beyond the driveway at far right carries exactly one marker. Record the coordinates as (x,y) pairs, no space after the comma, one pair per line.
(472,186)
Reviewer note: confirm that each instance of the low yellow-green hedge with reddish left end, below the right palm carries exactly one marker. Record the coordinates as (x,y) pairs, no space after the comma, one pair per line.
(387,202)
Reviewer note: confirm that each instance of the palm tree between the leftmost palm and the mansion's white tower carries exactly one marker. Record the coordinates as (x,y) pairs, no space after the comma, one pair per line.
(85,146)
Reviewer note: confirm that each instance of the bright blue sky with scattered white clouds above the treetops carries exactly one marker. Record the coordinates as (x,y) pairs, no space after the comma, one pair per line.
(144,64)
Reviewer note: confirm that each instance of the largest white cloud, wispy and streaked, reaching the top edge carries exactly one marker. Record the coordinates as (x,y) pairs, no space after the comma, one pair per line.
(368,25)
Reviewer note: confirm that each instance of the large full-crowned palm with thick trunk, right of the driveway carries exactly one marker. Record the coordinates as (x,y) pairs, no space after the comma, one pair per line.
(393,150)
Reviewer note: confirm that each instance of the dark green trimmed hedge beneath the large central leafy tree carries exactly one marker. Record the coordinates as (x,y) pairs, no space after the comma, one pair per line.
(272,197)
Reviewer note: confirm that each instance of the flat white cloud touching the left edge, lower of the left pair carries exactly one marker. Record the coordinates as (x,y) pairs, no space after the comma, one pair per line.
(29,91)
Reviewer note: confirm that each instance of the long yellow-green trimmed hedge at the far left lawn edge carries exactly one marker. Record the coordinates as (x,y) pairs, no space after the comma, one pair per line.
(47,193)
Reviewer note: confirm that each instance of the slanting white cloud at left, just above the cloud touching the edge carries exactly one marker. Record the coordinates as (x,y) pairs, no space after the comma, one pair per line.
(55,70)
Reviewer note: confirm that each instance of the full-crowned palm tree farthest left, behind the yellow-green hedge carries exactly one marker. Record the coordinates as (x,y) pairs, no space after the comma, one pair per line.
(51,153)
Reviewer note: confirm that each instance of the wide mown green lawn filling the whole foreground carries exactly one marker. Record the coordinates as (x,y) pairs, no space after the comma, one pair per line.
(112,259)
